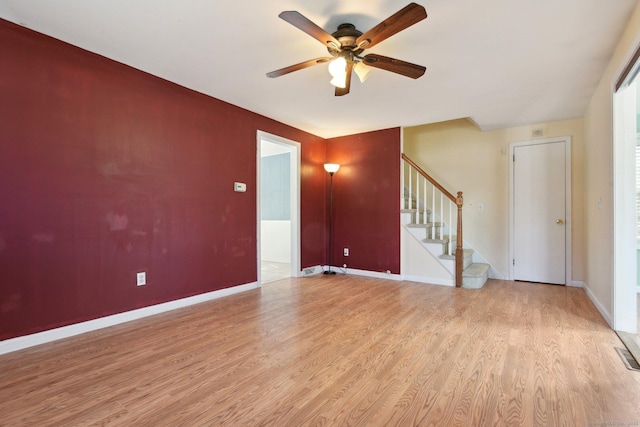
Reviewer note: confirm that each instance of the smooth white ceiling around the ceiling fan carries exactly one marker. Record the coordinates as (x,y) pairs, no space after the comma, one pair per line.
(501,63)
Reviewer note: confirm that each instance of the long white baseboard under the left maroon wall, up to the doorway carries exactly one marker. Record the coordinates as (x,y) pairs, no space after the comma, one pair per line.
(19,343)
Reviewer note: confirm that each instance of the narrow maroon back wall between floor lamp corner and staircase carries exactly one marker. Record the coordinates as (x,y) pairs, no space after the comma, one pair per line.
(366,204)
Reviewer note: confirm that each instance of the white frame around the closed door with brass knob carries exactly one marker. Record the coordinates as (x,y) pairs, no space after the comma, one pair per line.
(568,223)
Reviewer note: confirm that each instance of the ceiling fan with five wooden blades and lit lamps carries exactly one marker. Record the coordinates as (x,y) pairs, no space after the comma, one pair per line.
(347,44)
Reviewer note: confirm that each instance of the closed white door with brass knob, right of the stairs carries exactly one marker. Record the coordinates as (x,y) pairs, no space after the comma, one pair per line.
(539,212)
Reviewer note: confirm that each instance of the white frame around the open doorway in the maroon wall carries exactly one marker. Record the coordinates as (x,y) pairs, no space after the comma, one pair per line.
(295,200)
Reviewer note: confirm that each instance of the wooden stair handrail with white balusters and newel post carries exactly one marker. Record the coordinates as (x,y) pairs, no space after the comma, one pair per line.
(427,193)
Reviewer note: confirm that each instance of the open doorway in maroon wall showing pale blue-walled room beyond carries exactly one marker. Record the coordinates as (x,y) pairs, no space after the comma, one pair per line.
(278,195)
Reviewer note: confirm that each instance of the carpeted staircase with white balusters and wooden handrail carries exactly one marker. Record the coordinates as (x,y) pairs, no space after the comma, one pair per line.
(427,213)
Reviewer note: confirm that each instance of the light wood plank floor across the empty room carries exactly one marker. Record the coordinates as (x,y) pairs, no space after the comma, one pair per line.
(337,351)
